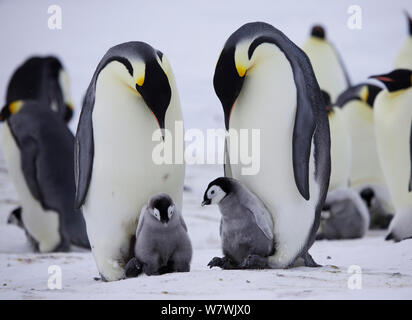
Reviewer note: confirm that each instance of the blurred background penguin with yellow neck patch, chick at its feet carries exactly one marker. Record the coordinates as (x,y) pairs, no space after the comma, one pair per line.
(366,176)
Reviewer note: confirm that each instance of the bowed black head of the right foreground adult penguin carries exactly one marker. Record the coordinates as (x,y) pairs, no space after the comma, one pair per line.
(236,58)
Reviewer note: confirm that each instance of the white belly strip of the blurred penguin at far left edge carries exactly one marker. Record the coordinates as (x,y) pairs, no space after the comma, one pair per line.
(43,225)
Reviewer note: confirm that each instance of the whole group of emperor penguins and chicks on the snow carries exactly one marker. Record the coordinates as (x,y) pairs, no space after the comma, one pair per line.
(335,157)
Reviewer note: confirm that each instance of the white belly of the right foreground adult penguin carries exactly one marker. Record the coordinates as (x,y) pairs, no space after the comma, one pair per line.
(268,102)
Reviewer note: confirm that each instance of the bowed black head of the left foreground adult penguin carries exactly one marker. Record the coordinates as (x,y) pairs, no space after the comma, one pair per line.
(146,72)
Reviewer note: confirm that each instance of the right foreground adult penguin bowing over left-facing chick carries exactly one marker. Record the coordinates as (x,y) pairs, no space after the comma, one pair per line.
(264,81)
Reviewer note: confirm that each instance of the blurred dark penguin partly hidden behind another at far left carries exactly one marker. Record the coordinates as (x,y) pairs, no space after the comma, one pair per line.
(42,79)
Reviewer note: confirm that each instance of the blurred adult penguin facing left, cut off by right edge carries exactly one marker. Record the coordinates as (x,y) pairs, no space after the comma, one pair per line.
(393,116)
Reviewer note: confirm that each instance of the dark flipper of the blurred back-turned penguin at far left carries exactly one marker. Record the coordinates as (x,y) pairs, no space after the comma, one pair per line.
(29,152)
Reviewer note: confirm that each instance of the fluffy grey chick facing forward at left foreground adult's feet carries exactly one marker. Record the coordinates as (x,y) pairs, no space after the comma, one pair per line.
(162,242)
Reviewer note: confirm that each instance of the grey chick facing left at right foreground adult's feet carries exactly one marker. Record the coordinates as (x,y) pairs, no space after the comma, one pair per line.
(246,226)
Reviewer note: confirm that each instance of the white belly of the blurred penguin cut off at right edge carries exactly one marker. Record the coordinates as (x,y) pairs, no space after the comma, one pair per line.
(393,115)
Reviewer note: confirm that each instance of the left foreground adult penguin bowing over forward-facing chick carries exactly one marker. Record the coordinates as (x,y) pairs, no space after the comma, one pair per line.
(131,95)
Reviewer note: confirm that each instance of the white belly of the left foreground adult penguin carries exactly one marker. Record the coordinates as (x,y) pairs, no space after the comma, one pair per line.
(124,175)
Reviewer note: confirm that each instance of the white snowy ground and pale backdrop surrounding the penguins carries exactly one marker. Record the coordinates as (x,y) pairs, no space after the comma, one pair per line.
(191,34)
